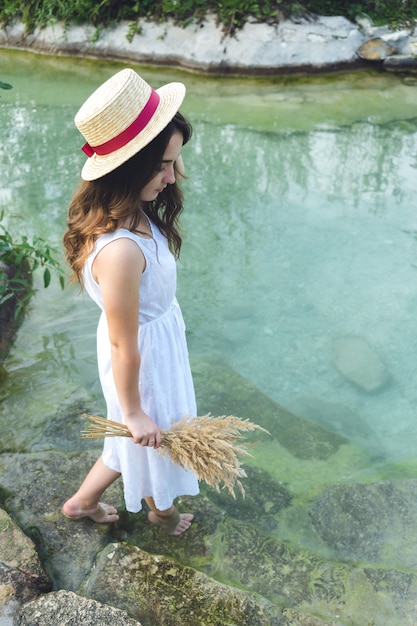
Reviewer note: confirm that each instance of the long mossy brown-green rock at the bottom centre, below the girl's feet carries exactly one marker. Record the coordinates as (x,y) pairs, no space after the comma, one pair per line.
(158,590)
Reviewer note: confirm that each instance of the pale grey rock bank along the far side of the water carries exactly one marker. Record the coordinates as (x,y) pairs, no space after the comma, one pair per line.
(320,44)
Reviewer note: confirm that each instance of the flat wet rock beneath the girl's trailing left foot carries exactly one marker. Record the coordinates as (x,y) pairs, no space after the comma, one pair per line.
(34,487)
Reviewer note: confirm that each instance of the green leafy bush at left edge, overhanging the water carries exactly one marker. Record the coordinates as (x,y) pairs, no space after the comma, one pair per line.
(19,260)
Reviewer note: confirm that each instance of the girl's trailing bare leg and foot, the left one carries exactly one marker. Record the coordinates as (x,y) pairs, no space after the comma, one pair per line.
(86,501)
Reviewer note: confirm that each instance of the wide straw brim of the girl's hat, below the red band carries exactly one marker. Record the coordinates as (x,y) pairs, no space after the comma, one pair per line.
(171,97)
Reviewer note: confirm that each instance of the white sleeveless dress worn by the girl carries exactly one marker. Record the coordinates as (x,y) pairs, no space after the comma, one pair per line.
(165,381)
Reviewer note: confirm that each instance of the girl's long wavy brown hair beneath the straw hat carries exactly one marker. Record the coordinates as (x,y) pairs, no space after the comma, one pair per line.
(112,201)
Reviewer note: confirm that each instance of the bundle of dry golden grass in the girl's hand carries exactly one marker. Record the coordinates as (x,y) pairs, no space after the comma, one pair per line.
(209,446)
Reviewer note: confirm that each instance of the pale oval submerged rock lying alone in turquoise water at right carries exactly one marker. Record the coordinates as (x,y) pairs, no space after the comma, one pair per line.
(360,363)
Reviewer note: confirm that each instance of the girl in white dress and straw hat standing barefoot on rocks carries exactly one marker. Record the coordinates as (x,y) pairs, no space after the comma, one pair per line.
(121,244)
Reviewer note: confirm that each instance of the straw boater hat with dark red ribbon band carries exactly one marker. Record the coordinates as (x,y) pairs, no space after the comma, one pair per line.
(121,117)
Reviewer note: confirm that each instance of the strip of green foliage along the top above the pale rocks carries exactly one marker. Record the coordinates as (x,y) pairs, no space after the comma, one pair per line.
(231,13)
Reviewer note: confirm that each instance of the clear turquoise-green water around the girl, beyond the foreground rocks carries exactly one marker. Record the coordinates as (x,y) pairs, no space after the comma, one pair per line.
(300,228)
